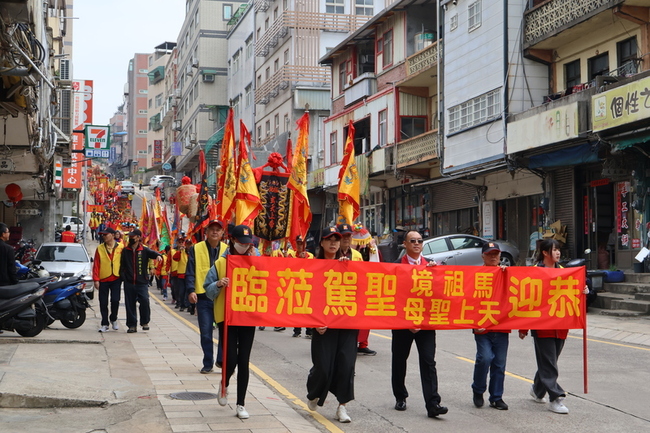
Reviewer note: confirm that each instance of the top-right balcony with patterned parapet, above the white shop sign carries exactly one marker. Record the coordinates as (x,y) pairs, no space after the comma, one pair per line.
(572,18)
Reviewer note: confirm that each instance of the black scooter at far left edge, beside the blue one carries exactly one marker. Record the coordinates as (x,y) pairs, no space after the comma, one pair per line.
(18,304)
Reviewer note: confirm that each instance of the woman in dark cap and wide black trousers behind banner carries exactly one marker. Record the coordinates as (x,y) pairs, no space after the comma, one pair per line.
(333,351)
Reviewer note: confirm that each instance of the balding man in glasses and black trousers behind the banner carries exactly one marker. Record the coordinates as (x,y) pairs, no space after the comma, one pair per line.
(425,341)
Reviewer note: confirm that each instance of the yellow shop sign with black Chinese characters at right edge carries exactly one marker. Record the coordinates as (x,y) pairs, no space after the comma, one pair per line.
(625,104)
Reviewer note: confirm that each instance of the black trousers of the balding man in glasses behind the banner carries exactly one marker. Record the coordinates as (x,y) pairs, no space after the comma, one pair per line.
(425,341)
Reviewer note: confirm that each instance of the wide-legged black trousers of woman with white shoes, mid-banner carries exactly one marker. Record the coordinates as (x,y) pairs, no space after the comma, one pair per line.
(333,355)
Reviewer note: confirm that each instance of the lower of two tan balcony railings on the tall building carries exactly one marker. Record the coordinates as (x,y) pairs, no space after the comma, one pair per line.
(291,74)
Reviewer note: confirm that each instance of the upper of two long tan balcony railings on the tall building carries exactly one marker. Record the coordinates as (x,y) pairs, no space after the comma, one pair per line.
(306,20)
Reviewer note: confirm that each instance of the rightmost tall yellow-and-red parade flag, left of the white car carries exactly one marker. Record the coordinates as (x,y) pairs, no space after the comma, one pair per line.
(348,193)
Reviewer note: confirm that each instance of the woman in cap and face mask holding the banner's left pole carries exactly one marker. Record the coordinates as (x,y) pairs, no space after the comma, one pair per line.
(238,340)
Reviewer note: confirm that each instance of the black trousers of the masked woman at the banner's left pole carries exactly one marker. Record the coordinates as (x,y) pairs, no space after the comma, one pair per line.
(240,344)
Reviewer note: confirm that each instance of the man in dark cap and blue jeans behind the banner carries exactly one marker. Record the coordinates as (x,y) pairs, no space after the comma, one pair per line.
(491,349)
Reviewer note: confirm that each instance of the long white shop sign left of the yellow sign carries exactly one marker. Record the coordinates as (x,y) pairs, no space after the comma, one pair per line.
(547,127)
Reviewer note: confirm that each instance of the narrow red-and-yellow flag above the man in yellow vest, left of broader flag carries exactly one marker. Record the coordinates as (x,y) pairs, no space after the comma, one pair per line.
(227,178)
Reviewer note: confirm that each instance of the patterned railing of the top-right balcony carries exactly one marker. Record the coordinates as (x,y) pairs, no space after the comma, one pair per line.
(555,15)
